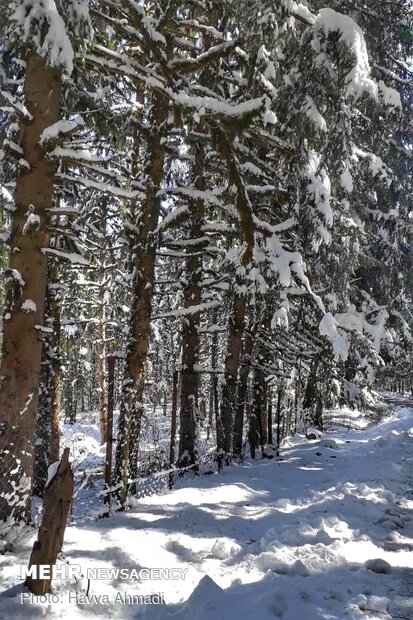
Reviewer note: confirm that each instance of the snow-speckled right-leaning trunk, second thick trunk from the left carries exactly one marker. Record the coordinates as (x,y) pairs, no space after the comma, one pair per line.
(143,261)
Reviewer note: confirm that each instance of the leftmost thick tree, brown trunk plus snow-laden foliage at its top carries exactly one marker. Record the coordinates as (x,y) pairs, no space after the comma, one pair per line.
(47,52)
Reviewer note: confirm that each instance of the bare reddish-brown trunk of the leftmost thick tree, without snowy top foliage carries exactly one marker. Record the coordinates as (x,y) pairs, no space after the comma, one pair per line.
(27,276)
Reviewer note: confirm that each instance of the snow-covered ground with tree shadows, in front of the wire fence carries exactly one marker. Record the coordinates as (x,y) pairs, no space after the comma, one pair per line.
(290,539)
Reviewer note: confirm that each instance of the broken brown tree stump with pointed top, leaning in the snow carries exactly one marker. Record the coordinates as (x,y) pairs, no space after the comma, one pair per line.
(57,498)
